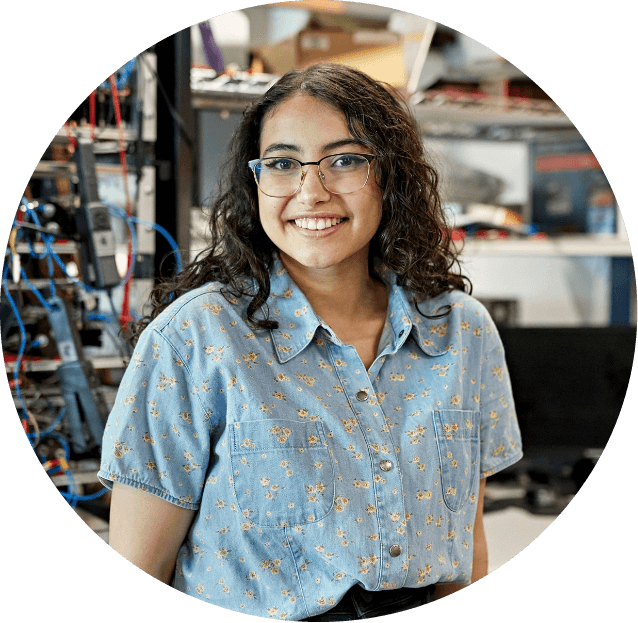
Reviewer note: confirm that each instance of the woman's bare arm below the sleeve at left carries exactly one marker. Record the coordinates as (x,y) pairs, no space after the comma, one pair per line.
(147,530)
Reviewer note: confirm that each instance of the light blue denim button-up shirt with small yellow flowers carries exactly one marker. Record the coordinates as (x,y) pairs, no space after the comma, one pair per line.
(309,474)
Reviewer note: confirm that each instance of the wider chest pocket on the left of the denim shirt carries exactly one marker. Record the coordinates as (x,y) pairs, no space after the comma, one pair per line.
(282,472)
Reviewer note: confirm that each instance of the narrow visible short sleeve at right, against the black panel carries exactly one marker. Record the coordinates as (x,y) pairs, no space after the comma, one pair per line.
(501,444)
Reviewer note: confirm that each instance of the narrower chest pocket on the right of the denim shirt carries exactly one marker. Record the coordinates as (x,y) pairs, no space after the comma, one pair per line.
(457,438)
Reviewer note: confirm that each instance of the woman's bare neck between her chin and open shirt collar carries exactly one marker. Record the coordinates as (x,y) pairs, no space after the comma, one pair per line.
(346,290)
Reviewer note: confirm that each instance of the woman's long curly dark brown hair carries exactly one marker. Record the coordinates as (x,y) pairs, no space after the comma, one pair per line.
(412,239)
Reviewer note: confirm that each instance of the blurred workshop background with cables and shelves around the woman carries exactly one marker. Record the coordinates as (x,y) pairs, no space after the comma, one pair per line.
(119,199)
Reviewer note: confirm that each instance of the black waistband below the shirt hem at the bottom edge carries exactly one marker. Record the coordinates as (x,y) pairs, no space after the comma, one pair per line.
(359,604)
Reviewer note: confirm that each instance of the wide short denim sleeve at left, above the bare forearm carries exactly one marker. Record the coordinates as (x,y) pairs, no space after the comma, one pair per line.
(157,436)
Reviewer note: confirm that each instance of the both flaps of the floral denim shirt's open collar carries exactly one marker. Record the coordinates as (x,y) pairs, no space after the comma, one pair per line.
(298,323)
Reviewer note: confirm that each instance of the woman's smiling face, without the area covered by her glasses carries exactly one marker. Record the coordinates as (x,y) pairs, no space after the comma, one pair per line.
(307,129)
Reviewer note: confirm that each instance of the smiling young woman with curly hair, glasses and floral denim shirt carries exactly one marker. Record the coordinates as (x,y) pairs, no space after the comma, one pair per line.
(315,402)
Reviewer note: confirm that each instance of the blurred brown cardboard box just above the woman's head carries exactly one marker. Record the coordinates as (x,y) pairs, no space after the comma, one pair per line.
(379,53)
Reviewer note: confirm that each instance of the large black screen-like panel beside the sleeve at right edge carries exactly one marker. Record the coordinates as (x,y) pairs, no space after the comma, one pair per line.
(569,384)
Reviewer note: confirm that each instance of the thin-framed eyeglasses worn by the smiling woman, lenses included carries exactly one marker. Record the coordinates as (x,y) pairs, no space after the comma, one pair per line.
(340,174)
